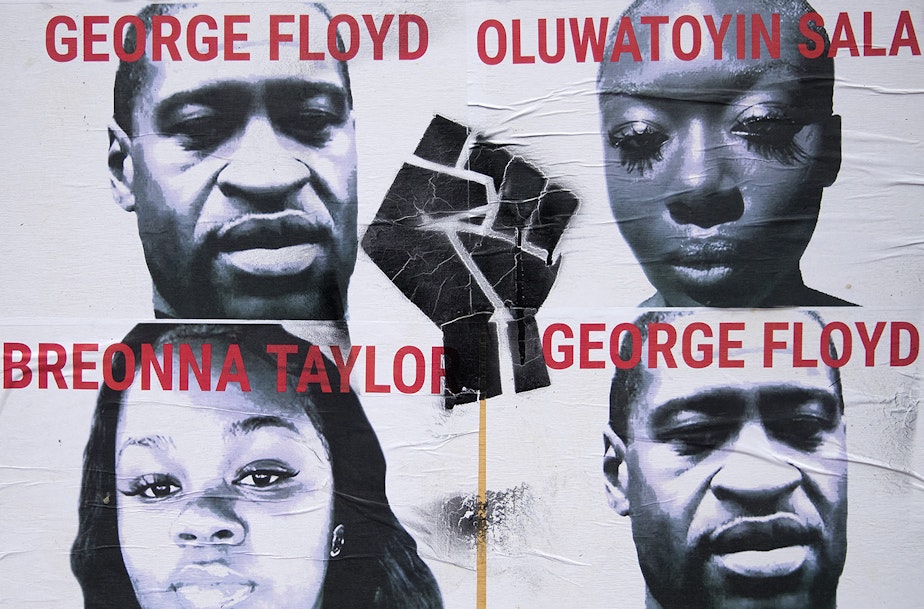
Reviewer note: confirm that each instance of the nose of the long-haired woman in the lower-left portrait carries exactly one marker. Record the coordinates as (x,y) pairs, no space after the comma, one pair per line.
(209,521)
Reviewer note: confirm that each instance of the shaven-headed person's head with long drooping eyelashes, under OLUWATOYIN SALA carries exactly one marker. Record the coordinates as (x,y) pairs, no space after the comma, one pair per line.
(715,167)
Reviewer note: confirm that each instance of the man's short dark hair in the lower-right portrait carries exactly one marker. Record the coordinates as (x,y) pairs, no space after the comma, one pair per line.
(627,382)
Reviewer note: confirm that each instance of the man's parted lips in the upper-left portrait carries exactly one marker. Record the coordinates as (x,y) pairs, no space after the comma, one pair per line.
(272,245)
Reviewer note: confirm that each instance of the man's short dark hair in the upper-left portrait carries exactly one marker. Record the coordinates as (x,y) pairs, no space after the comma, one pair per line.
(132,76)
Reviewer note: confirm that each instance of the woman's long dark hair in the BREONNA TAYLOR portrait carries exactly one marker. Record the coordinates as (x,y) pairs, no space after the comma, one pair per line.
(378,567)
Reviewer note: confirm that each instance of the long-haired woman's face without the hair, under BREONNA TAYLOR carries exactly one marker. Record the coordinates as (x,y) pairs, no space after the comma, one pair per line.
(224,497)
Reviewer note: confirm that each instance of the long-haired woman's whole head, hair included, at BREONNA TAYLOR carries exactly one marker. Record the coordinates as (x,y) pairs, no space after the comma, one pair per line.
(236,491)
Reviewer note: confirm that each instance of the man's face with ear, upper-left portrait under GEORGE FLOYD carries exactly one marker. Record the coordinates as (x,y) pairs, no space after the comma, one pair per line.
(243,178)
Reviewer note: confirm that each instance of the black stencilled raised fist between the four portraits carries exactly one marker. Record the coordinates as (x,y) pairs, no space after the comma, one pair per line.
(468,233)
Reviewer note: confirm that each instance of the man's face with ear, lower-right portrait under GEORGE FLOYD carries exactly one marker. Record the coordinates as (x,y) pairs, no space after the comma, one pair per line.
(736,484)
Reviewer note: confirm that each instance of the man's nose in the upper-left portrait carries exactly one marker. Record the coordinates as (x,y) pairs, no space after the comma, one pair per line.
(261,167)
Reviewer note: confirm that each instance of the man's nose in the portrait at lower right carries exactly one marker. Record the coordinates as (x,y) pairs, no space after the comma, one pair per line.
(754,473)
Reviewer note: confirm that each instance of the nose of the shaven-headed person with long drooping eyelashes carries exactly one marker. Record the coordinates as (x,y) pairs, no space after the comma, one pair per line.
(707,193)
